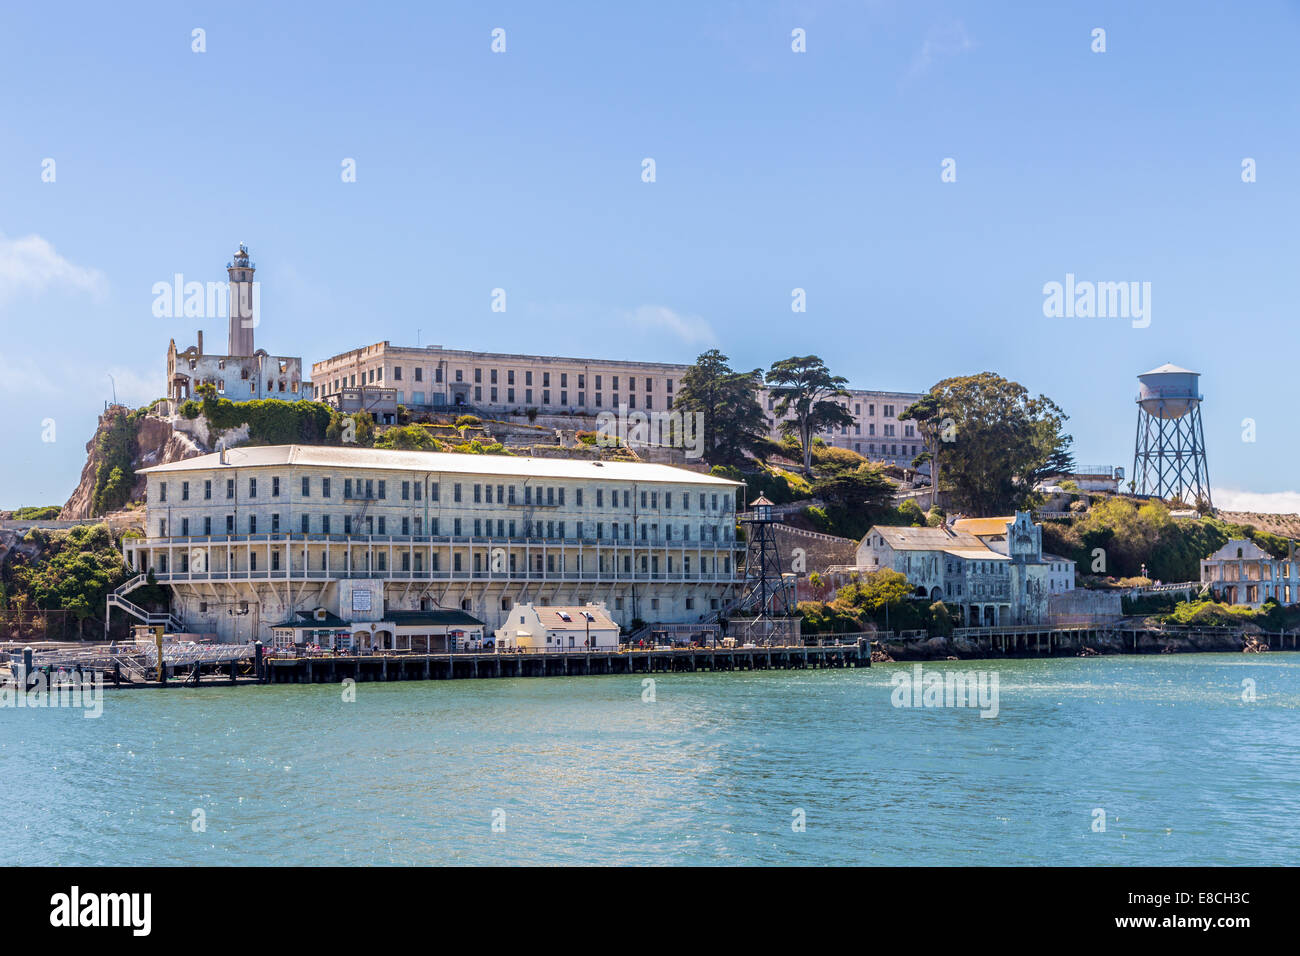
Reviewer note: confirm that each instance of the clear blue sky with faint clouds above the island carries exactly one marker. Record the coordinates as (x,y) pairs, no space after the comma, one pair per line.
(775,170)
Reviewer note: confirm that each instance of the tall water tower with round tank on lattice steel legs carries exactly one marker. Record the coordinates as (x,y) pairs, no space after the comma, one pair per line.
(1169,453)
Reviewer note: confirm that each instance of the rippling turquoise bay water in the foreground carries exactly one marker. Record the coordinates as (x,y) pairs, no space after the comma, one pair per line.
(712,772)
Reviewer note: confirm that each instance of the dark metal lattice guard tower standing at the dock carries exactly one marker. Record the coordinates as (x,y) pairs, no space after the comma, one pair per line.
(766,611)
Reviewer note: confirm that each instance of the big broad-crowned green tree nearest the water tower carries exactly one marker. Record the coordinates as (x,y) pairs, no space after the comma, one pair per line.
(1003,440)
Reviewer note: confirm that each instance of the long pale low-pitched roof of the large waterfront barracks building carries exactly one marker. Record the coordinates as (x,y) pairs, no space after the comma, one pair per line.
(439,462)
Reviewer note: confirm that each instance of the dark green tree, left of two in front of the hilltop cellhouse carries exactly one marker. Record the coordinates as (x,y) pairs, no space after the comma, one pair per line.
(729,403)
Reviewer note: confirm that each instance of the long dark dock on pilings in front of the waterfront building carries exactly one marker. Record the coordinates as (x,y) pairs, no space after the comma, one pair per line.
(456,667)
